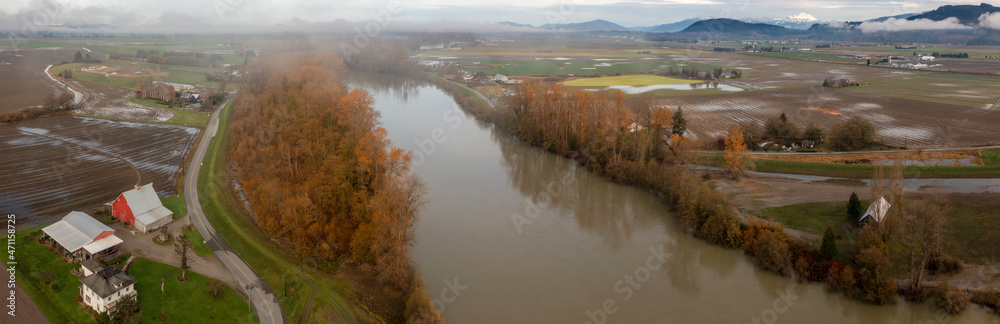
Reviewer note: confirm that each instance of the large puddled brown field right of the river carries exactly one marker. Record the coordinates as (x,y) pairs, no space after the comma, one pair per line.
(898,121)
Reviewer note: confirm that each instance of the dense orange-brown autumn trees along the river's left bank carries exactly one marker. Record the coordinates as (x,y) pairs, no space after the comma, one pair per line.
(318,171)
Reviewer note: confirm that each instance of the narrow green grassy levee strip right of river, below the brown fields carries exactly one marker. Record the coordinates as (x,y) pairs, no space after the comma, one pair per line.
(854,171)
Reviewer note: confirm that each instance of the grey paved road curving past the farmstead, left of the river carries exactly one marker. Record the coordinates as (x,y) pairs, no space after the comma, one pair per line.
(263,299)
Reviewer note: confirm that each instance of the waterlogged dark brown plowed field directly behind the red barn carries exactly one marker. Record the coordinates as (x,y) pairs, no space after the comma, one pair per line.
(57,164)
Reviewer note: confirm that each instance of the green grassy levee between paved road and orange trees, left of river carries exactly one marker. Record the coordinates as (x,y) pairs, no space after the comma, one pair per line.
(268,259)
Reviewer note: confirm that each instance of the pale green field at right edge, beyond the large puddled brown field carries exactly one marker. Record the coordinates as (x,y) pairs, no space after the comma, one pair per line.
(965,90)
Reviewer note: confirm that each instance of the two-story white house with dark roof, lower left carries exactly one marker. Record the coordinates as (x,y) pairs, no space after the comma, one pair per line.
(102,287)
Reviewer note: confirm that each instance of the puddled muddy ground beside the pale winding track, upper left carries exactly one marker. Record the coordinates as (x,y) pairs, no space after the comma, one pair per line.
(108,101)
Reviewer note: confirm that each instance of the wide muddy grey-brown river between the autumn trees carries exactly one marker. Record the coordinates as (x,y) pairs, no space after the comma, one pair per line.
(513,234)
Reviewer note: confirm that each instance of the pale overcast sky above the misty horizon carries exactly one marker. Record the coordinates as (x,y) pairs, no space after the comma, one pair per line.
(629,13)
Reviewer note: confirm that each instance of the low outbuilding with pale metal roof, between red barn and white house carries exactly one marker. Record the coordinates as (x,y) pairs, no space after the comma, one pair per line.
(79,237)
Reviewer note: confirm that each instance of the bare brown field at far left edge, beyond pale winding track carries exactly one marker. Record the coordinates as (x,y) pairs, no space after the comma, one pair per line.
(22,83)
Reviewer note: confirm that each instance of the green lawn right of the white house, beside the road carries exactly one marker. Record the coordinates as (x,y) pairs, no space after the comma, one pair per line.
(185,302)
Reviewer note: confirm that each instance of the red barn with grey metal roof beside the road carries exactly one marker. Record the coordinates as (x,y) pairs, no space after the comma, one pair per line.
(141,208)
